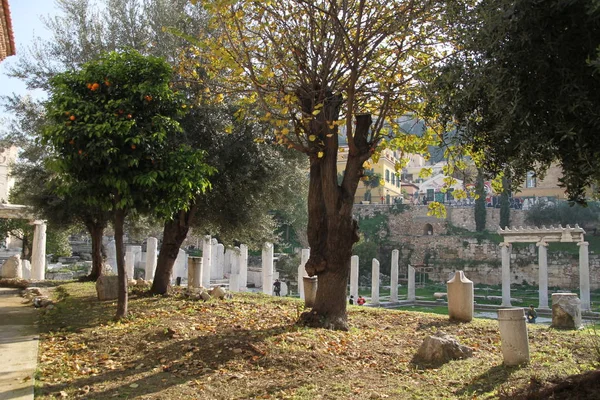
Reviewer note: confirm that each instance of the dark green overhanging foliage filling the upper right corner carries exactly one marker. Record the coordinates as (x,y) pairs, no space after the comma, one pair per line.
(522,89)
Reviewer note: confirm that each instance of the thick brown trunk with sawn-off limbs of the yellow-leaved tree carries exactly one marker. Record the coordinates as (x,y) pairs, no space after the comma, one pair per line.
(331,230)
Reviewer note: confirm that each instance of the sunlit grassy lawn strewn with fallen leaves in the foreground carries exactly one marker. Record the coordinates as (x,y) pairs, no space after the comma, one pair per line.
(250,348)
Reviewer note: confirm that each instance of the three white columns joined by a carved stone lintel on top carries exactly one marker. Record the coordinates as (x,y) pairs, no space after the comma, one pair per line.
(541,237)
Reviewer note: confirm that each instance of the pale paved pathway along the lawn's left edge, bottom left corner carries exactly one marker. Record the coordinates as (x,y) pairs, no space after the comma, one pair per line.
(18,346)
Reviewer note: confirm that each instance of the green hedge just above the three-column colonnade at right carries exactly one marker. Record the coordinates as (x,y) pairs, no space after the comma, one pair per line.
(562,213)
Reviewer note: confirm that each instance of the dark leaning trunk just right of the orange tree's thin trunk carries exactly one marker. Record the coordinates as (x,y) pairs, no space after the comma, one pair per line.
(174,233)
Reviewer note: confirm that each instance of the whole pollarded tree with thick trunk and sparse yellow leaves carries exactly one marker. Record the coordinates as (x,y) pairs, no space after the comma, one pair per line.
(322,69)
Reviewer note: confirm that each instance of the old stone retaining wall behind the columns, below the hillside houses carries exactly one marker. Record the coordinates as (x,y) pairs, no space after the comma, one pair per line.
(446,252)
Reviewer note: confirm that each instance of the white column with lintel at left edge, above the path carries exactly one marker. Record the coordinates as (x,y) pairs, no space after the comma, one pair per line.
(38,251)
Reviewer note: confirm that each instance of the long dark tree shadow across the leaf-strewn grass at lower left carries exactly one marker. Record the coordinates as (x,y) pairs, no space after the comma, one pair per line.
(180,362)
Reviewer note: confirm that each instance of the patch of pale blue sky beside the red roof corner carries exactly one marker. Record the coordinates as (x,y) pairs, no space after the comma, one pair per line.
(27,24)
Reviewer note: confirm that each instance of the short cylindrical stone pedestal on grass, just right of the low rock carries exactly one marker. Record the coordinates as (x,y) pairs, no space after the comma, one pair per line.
(513,333)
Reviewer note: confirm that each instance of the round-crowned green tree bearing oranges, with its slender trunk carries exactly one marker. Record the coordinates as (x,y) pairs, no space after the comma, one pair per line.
(111,125)
